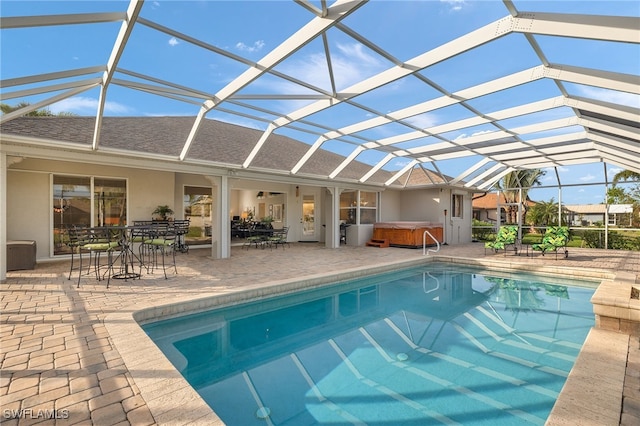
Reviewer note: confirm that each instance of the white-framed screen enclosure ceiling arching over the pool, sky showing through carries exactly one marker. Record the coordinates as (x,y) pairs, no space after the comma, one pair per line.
(405,87)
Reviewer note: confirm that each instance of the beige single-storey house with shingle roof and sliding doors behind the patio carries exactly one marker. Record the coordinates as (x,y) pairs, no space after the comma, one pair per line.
(53,173)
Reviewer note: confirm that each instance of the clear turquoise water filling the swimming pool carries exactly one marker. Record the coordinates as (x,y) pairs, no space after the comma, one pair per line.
(439,344)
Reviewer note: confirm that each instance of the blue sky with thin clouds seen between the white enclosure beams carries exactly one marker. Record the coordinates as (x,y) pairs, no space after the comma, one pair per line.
(404,29)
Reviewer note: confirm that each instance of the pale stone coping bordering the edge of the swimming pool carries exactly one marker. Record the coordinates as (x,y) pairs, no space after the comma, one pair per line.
(169,396)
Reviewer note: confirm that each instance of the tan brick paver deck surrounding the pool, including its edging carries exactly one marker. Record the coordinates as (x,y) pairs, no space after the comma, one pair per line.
(78,354)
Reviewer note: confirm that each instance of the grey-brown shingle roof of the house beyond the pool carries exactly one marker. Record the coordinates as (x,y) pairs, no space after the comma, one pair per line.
(216,142)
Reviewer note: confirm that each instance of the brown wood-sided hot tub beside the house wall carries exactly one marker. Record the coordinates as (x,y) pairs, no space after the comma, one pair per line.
(407,234)
